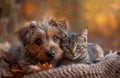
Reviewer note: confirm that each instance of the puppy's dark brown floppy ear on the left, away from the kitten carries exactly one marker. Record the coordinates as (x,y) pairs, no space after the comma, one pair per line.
(25,33)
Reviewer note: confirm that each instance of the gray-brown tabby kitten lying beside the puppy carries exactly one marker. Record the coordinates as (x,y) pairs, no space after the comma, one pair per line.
(78,50)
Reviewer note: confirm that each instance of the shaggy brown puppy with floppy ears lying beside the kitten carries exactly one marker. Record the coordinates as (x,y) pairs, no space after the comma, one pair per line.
(40,43)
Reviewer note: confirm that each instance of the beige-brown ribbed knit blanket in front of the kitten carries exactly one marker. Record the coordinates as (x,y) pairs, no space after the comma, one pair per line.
(109,67)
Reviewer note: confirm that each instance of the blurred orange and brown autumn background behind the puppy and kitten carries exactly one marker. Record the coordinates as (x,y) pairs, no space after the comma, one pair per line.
(102,17)
